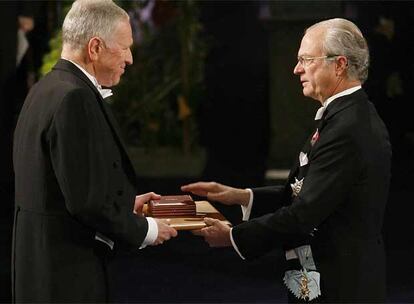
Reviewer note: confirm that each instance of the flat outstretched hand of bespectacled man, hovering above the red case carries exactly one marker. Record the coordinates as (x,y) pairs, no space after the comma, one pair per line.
(219,193)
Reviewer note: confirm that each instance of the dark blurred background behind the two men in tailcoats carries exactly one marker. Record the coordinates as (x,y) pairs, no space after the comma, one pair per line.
(234,113)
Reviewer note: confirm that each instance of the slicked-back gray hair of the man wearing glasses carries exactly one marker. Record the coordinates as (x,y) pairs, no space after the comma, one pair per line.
(342,37)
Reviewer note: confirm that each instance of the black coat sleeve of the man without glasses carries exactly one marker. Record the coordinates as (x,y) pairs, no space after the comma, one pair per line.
(78,144)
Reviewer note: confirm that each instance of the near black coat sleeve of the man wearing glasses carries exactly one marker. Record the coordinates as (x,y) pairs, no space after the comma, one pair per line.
(334,166)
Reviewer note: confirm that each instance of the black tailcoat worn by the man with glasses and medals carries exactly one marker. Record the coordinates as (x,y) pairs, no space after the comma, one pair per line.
(343,196)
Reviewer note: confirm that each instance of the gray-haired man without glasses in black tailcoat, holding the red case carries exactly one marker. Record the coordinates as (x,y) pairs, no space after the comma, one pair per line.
(76,200)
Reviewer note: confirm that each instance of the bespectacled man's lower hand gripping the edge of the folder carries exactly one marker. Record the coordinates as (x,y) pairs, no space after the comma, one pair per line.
(217,234)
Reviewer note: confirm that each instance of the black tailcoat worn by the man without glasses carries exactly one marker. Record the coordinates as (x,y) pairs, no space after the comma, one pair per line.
(73,179)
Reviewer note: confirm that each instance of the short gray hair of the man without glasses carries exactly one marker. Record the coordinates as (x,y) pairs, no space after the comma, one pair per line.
(90,18)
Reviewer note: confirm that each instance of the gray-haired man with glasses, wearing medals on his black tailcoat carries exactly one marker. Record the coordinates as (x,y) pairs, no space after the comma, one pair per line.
(328,216)
